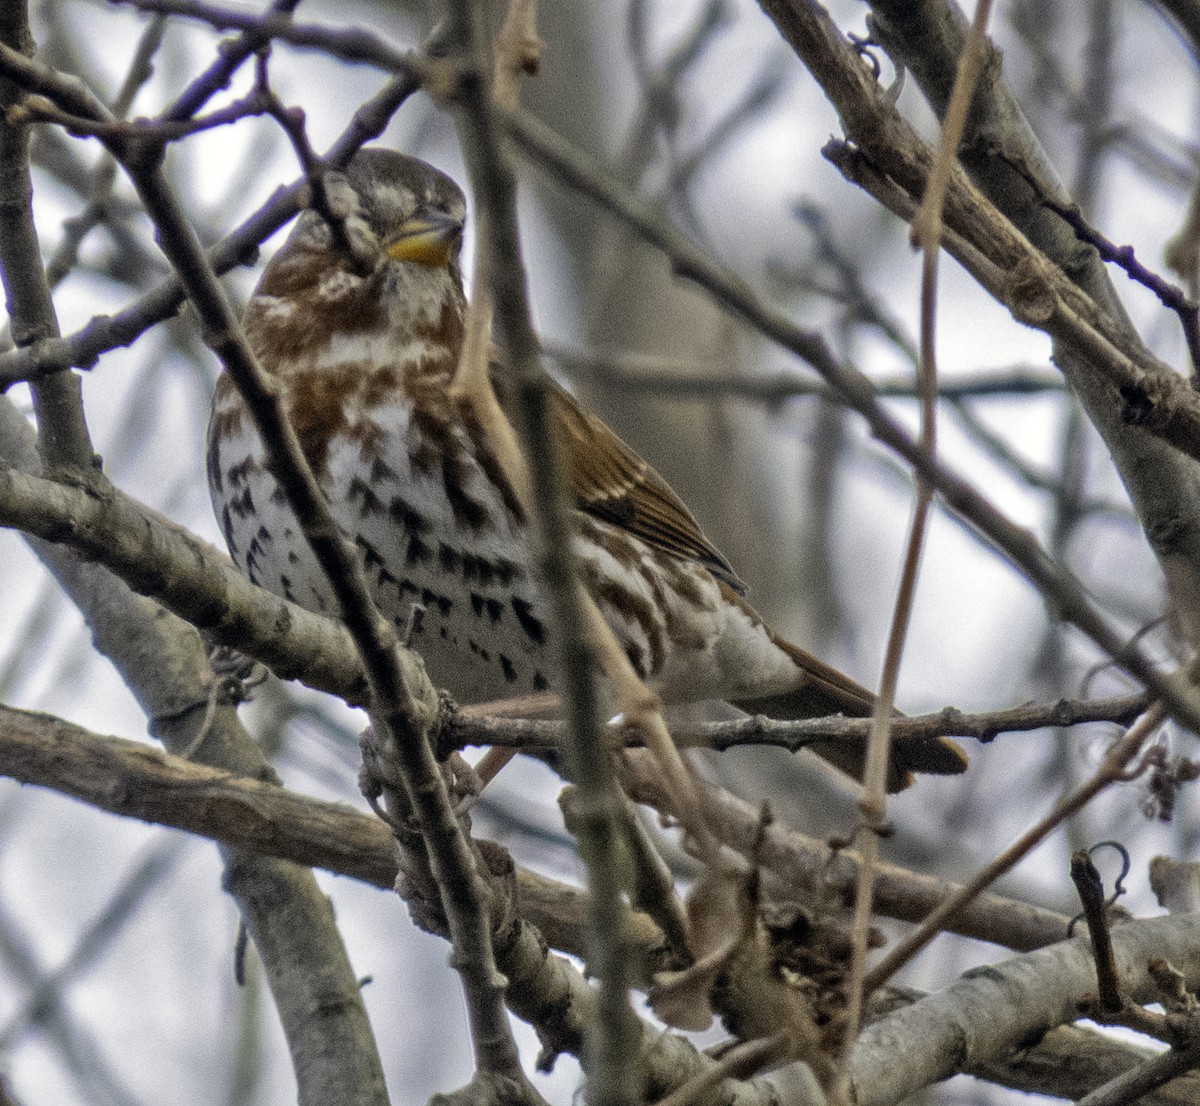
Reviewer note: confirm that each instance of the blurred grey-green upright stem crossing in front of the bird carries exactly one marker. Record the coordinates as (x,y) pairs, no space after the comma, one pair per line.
(613,1065)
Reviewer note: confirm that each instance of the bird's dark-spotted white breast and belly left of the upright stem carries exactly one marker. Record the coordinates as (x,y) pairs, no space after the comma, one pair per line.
(442,540)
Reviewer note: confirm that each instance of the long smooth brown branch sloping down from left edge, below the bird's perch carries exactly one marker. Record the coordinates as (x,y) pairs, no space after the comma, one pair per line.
(133,780)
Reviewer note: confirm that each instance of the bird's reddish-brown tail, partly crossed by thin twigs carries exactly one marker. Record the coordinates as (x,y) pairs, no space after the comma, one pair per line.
(824,692)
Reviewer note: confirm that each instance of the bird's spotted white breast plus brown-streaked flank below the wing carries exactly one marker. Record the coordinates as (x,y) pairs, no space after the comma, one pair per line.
(415,485)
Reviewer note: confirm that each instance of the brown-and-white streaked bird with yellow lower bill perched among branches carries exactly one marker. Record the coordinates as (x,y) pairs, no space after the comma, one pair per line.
(361,323)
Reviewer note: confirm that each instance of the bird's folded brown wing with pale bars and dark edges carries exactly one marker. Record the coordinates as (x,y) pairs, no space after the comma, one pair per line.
(611,483)
